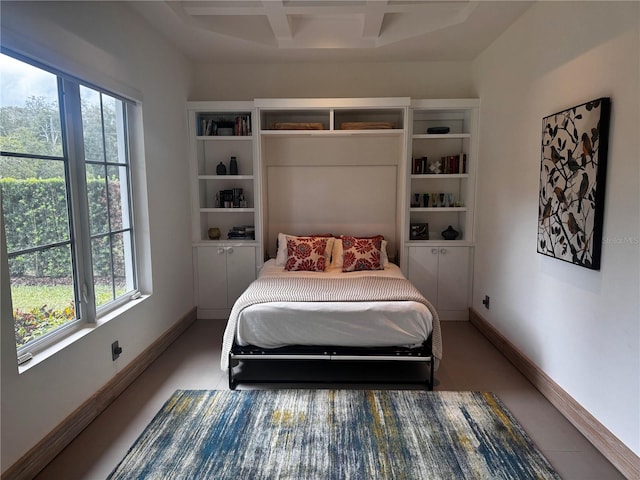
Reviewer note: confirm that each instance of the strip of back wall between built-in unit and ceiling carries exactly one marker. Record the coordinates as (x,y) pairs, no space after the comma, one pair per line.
(407,79)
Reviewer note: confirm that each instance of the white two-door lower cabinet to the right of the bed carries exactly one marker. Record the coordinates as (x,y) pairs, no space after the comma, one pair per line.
(442,276)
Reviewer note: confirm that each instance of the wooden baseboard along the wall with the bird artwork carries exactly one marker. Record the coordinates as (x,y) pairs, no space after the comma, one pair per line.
(625,460)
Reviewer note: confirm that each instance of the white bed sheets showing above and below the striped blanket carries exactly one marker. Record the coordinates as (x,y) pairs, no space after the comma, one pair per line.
(354,324)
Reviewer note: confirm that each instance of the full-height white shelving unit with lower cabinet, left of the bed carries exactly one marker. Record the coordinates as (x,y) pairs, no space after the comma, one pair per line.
(227,203)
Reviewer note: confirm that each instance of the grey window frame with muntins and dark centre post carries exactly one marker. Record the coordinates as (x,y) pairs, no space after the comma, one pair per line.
(80,238)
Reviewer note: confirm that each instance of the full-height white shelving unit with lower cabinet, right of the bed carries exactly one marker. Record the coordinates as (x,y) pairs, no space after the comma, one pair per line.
(440,192)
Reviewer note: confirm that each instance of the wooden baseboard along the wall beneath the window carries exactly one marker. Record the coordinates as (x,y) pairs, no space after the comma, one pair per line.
(32,462)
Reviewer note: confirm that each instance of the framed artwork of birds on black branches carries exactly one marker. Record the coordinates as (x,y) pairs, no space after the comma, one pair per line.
(572,180)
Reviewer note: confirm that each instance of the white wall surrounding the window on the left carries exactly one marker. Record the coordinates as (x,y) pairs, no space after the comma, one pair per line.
(110,45)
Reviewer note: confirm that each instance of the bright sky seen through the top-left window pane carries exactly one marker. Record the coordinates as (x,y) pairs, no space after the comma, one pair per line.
(19,81)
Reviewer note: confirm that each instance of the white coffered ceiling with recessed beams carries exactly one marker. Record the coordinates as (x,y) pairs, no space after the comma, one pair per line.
(247,31)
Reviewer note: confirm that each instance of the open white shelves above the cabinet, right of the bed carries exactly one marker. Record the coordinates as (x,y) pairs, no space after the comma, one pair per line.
(441,170)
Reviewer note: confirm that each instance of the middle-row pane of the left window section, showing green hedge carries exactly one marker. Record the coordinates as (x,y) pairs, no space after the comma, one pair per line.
(34,202)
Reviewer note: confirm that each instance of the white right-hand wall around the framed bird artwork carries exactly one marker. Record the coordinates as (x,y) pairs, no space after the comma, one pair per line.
(580,326)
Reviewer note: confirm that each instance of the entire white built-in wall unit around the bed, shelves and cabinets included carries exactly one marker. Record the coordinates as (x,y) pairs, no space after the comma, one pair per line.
(359,166)
